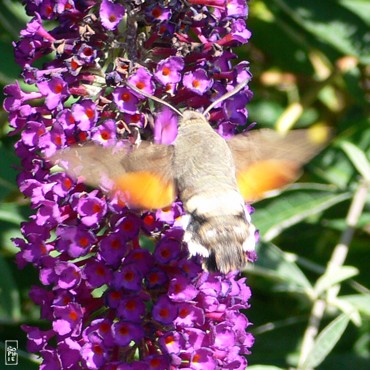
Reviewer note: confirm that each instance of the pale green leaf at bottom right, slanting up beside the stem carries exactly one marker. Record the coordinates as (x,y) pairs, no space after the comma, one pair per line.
(326,341)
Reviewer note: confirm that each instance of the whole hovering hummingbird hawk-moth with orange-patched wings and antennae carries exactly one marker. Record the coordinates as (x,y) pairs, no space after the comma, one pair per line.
(213,178)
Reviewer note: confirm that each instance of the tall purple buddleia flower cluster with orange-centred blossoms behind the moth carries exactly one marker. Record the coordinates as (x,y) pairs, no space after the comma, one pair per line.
(116,285)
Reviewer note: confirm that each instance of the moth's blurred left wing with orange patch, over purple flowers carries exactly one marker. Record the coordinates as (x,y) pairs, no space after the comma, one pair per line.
(141,176)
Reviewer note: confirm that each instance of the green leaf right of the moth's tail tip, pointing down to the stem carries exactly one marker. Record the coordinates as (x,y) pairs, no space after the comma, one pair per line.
(274,263)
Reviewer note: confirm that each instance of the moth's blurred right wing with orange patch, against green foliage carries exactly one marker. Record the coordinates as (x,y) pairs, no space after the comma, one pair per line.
(266,160)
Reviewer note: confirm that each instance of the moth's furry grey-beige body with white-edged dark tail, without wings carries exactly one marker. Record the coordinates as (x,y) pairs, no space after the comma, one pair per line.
(217,225)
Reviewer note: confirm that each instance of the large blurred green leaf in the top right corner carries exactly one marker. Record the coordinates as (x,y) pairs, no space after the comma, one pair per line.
(331,23)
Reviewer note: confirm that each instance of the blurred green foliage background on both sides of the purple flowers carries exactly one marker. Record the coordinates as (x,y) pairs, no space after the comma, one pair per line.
(311,66)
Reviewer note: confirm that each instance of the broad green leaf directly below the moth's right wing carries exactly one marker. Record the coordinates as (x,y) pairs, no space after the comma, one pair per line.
(295,204)
